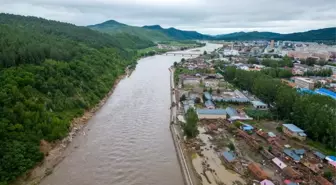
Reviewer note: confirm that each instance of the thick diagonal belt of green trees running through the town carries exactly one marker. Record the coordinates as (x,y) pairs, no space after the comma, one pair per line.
(313,113)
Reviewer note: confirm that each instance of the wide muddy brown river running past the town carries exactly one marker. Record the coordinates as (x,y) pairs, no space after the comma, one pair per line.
(128,141)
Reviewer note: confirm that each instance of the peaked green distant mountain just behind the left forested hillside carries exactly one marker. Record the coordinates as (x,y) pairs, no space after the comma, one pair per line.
(113,27)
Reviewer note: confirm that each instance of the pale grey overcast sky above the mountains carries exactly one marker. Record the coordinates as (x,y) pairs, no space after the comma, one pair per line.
(205,16)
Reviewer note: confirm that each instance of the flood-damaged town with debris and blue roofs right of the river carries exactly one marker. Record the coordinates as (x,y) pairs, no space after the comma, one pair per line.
(233,131)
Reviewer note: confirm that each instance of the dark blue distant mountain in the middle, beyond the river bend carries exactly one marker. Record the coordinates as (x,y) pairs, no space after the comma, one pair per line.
(179,34)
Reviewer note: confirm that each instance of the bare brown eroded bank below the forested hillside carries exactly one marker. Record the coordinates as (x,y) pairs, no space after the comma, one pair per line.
(55,152)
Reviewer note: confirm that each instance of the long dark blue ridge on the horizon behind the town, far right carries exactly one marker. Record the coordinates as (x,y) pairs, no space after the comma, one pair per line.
(326,34)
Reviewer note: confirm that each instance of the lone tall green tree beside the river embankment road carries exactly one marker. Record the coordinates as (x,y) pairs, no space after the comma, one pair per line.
(190,128)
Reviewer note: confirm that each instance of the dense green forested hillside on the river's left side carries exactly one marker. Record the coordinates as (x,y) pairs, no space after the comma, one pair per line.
(50,72)
